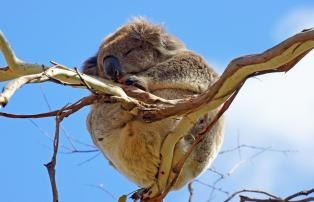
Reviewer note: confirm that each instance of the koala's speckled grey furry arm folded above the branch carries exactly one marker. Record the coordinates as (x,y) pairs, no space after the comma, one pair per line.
(186,71)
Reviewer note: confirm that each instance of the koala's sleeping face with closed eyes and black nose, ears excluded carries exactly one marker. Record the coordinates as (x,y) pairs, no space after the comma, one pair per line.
(126,55)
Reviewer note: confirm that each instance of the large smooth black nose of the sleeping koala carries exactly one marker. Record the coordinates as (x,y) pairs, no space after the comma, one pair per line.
(112,67)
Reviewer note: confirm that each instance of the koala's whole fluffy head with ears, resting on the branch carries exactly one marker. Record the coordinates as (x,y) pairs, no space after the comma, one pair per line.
(133,48)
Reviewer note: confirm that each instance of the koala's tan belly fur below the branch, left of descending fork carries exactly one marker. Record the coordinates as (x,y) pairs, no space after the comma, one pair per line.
(132,146)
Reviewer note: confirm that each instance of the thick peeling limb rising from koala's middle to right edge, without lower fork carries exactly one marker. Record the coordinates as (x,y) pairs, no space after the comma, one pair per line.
(280,58)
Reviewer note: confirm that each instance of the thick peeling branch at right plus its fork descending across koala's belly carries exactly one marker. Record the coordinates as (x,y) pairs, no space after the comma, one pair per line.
(280,58)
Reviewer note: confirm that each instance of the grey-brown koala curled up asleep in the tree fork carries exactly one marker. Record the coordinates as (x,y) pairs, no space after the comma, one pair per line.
(144,55)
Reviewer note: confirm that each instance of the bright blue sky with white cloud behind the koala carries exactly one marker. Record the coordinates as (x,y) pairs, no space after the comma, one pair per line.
(274,111)
